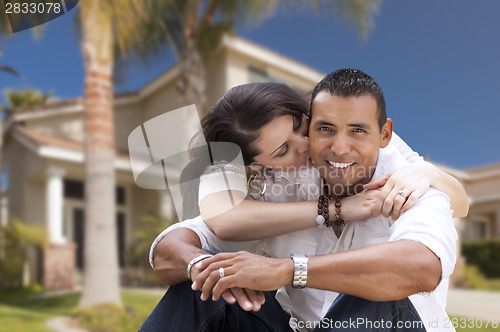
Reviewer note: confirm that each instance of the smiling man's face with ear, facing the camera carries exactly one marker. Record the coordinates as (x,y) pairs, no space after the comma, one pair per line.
(345,139)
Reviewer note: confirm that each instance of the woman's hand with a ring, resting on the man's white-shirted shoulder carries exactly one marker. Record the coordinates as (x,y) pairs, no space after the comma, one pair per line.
(400,190)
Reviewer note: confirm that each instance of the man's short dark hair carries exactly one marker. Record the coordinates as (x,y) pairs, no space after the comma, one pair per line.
(352,83)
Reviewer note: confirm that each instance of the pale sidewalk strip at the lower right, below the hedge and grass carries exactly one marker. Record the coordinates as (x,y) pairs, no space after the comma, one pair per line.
(473,303)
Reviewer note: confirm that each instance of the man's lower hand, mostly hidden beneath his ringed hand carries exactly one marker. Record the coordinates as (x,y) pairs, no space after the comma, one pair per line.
(248,299)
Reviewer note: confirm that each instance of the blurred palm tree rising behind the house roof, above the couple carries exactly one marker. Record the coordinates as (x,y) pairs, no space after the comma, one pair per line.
(192,29)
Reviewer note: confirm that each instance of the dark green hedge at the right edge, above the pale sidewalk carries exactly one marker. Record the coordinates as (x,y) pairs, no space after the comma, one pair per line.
(485,254)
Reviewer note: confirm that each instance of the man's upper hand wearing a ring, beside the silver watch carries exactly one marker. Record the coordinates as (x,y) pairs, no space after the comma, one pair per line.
(241,269)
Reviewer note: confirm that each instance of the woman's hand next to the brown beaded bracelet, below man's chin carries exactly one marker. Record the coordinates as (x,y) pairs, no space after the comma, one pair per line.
(358,207)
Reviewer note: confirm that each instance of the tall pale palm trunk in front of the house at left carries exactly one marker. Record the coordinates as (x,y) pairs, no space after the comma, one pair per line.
(101,271)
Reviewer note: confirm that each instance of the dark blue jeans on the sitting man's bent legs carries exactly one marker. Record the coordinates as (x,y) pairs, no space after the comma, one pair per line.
(181,309)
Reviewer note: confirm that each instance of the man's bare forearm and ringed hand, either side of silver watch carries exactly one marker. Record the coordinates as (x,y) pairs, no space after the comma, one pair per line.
(381,272)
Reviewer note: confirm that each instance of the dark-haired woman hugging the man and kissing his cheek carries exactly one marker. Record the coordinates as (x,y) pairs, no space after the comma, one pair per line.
(262,115)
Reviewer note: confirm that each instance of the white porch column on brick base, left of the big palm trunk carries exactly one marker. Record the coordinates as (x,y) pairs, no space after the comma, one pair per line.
(54,204)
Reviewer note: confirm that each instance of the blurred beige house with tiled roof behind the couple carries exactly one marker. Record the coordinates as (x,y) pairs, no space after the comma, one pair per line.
(43,158)
